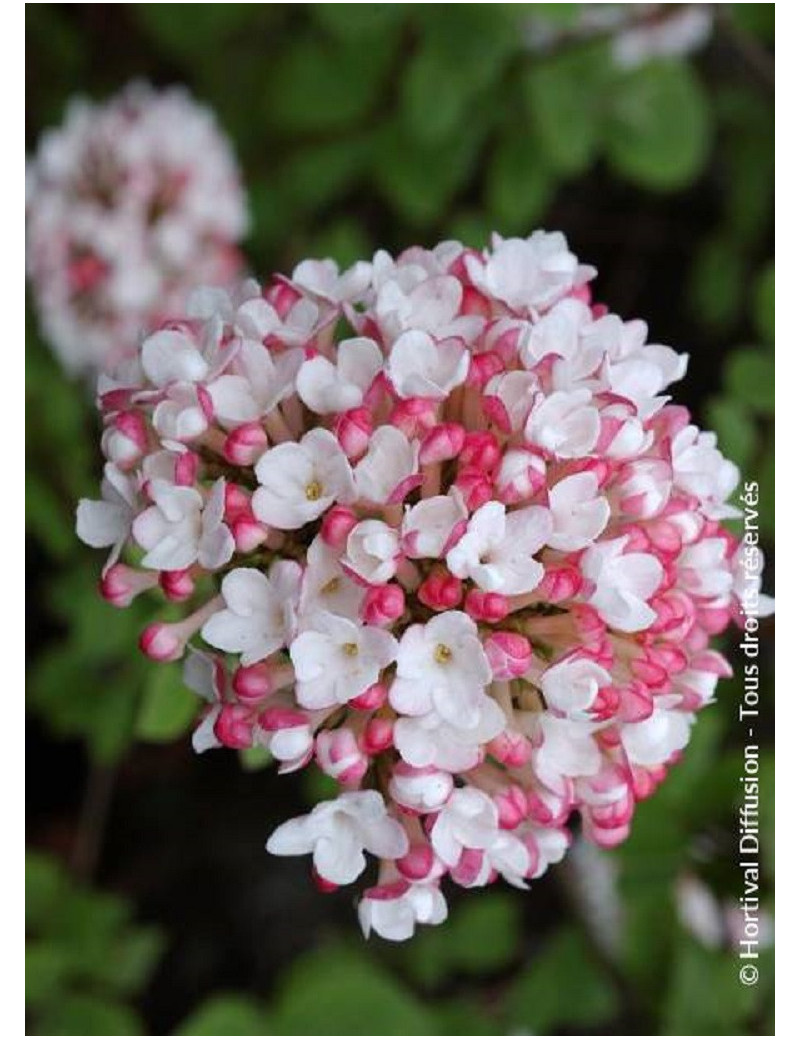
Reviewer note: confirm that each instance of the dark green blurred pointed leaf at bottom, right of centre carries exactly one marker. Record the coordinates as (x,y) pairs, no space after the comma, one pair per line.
(563,986)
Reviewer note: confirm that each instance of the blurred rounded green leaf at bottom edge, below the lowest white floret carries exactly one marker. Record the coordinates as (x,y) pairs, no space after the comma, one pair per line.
(338,992)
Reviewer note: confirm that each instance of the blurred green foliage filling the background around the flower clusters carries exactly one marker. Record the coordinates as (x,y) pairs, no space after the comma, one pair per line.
(362,126)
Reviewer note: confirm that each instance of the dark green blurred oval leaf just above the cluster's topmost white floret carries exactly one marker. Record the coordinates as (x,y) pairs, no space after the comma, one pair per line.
(520,187)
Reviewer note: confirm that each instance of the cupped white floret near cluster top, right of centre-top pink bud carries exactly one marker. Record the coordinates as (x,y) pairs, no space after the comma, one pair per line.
(422,368)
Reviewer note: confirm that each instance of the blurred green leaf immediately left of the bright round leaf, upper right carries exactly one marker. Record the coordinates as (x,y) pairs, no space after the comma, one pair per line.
(565,95)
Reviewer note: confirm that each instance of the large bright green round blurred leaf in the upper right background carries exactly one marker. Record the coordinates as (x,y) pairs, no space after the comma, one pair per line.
(660,128)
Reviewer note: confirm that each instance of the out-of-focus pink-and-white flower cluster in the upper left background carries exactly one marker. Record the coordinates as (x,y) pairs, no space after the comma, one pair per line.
(131,203)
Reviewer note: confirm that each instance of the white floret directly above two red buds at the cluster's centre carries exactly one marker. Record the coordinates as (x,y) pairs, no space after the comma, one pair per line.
(498,550)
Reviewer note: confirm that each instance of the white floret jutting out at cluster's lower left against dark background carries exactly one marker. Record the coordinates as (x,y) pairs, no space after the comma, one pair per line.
(338,834)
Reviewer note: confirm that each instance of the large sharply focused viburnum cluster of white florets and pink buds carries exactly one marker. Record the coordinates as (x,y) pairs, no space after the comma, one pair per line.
(440,530)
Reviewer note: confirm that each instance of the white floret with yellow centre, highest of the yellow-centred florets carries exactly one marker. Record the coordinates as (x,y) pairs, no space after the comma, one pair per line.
(301,481)
